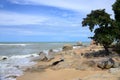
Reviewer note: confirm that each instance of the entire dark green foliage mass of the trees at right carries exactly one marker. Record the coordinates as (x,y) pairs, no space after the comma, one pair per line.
(106,29)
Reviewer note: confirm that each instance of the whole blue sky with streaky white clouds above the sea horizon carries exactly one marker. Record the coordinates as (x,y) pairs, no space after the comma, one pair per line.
(47,20)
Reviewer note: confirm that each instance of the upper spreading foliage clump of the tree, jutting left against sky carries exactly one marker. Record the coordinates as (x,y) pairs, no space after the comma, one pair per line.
(97,18)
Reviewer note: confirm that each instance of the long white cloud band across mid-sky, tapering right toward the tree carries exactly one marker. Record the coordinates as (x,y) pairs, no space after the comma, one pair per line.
(13,18)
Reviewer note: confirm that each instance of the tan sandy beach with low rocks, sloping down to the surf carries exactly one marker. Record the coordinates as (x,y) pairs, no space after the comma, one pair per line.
(74,67)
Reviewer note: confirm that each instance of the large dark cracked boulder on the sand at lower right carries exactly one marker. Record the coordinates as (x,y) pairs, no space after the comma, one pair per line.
(106,64)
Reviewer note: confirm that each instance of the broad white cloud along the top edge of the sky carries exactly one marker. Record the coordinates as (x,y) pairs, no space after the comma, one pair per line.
(77,5)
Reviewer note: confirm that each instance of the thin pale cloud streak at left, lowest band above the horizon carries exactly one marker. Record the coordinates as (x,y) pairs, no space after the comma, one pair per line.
(24,32)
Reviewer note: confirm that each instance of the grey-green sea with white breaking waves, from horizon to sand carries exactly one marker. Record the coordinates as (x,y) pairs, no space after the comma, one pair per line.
(18,56)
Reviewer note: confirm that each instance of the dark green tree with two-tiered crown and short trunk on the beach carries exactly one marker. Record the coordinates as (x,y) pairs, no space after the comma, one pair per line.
(104,30)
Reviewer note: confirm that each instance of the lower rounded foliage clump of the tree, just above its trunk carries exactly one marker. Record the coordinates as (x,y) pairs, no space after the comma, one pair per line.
(103,36)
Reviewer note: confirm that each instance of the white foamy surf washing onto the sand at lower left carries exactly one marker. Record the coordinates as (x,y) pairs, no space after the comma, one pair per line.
(14,66)
